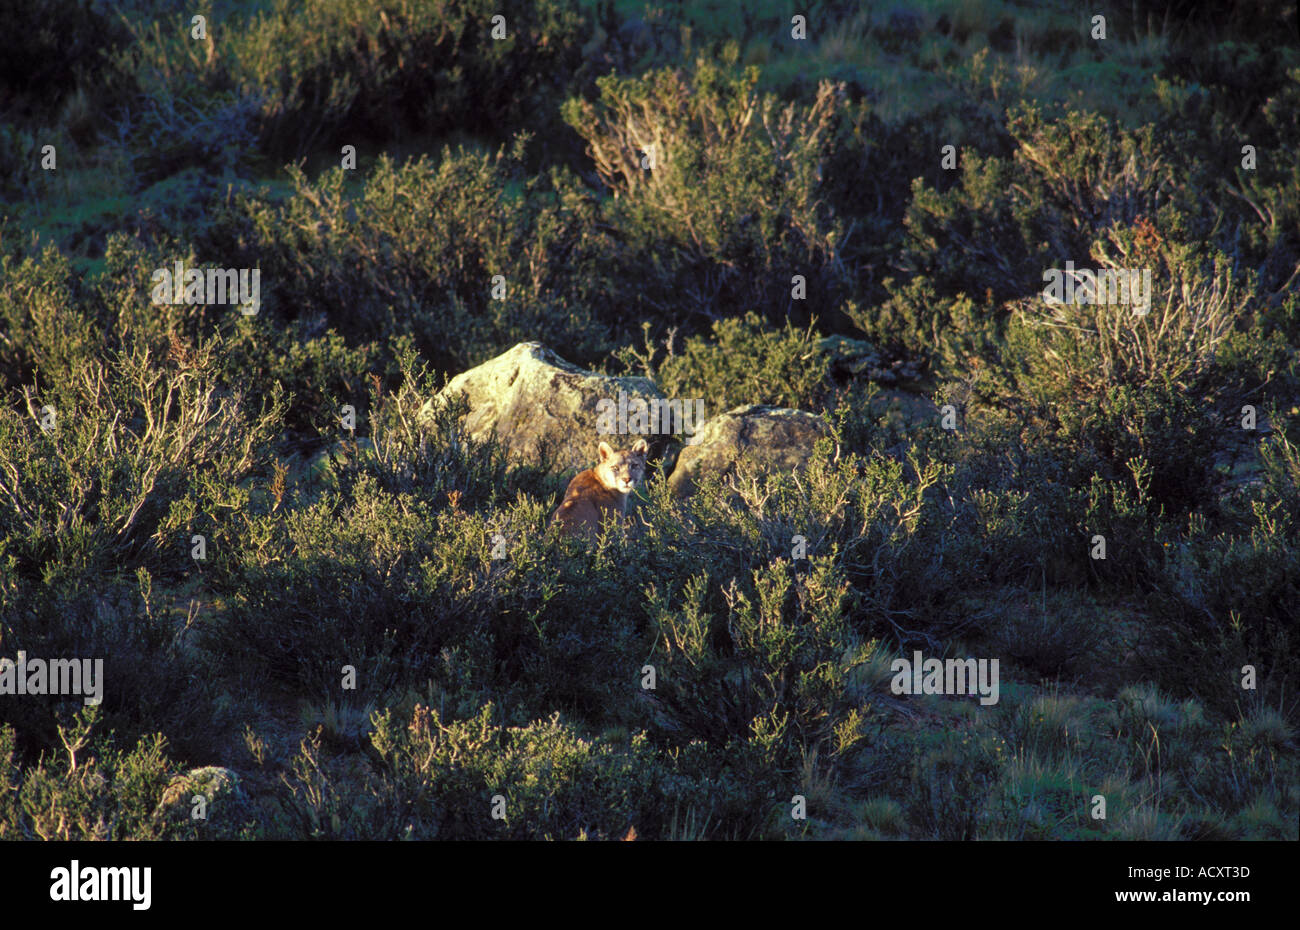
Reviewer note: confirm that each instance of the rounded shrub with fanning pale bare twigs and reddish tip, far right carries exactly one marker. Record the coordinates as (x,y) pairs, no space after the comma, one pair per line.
(1155,388)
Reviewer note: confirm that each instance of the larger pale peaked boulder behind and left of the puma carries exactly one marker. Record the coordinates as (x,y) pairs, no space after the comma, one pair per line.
(536,404)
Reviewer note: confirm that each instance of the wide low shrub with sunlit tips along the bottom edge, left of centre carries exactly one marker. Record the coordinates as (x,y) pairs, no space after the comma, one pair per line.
(439,778)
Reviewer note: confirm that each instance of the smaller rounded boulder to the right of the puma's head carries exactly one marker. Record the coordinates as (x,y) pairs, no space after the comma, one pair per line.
(777,439)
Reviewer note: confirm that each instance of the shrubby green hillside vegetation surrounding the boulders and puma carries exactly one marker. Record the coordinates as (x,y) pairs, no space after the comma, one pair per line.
(686,192)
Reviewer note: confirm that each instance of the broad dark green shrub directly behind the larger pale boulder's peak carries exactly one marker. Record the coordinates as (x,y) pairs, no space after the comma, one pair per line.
(415,254)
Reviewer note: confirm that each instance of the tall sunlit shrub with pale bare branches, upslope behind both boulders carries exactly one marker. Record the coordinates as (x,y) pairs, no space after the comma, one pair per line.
(731,211)
